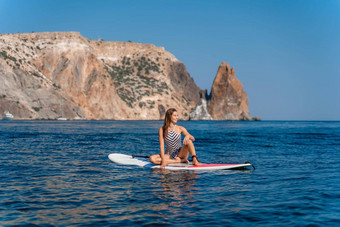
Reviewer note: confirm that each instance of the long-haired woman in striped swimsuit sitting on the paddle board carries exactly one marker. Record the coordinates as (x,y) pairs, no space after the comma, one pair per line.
(171,135)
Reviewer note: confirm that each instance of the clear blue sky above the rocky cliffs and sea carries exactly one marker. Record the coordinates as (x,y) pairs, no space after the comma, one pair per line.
(286,53)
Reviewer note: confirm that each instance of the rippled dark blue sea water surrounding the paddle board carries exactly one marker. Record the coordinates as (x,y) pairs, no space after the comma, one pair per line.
(58,174)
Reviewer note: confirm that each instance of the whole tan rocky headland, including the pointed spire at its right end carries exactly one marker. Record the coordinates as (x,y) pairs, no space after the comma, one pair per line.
(52,74)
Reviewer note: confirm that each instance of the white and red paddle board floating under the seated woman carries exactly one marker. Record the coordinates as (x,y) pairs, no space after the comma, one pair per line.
(124,159)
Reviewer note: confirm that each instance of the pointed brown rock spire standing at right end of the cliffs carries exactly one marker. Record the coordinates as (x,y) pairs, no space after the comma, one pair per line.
(228,100)
